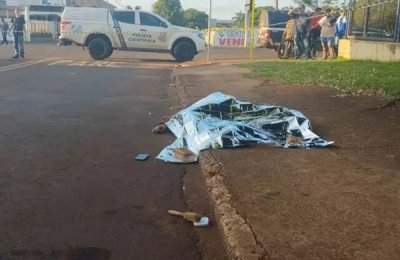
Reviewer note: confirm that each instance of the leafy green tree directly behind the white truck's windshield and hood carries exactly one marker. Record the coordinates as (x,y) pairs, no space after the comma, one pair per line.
(170,10)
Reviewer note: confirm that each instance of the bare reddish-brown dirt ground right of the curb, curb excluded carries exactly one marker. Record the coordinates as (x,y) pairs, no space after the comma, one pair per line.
(339,203)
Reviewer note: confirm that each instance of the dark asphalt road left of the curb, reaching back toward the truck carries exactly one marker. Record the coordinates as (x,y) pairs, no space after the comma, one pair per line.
(69,185)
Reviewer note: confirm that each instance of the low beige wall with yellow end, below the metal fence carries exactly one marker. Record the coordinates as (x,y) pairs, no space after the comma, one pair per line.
(369,50)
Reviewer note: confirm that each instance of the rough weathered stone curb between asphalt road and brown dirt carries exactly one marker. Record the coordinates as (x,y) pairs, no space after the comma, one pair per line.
(239,239)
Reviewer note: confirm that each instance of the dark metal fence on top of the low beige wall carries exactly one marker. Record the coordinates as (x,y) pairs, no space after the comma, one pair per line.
(375,20)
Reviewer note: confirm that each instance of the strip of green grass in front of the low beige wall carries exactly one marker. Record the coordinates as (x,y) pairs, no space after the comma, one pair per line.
(348,76)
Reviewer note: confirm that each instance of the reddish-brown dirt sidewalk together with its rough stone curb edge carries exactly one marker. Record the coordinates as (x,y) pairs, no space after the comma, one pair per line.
(337,203)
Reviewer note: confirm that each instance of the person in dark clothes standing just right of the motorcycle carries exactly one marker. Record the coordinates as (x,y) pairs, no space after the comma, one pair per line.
(302,34)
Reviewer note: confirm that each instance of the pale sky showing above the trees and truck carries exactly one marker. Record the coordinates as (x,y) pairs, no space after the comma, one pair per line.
(221,9)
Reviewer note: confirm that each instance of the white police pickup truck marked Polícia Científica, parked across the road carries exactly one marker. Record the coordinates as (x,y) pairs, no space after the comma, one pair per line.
(104,30)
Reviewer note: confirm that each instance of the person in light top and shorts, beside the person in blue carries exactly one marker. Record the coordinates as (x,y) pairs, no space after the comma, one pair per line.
(327,24)
